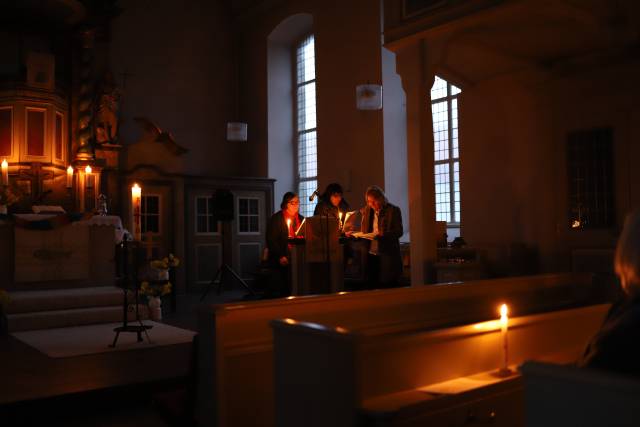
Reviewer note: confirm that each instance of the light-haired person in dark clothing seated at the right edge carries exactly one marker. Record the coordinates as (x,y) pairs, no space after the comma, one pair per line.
(616,347)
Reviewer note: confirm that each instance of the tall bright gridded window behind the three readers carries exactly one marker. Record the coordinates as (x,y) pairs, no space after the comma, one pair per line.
(306,135)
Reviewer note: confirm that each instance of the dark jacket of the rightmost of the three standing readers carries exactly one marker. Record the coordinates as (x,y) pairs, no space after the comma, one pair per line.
(390,231)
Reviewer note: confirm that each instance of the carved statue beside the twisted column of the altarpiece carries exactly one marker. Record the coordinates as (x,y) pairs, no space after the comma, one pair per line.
(108,104)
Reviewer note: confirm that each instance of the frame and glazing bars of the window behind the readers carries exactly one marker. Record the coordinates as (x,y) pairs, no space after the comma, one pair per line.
(298,133)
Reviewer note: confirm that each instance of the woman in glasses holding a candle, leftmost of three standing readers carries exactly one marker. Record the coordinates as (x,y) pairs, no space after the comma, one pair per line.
(282,225)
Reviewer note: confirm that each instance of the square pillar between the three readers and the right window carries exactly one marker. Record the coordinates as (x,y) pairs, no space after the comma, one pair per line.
(417,78)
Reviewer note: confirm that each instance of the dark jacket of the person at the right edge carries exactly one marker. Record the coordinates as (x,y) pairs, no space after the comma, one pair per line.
(616,346)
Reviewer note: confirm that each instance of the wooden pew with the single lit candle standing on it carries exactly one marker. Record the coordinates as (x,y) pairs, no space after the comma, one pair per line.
(334,376)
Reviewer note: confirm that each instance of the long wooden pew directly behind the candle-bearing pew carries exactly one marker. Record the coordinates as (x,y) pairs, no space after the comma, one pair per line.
(235,356)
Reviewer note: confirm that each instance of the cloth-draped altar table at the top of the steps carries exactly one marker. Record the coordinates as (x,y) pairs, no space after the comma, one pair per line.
(67,254)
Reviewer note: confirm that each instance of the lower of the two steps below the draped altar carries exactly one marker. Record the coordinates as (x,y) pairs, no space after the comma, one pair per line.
(70,317)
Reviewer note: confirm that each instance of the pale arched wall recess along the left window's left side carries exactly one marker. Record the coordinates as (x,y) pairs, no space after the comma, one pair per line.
(280,45)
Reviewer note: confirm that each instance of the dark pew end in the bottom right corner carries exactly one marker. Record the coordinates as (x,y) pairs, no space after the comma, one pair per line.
(568,396)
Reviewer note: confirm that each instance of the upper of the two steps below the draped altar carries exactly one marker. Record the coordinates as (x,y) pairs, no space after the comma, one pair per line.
(64,299)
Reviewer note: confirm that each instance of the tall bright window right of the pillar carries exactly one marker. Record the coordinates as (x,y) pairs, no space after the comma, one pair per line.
(444,106)
